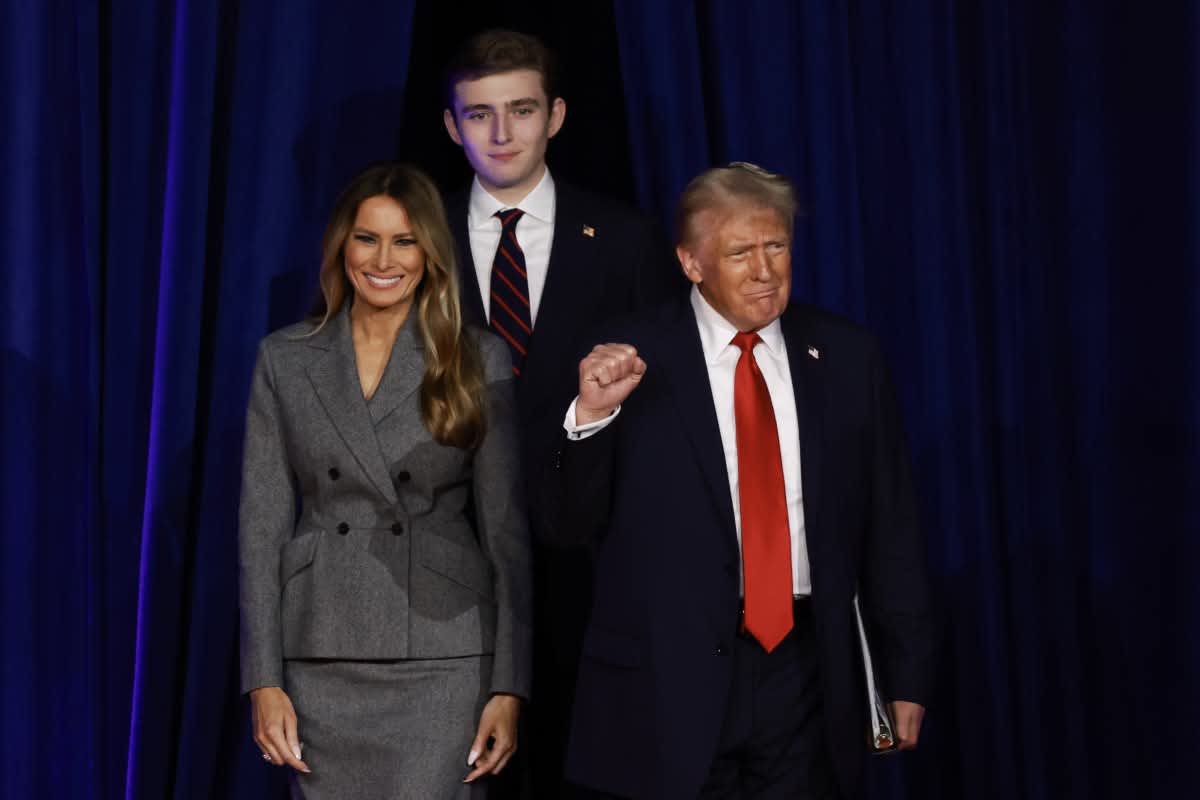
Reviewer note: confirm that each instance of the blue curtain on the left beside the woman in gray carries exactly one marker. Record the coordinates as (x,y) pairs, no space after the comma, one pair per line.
(169,170)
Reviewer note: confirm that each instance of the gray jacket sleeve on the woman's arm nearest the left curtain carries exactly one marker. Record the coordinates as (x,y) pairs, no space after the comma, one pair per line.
(267,519)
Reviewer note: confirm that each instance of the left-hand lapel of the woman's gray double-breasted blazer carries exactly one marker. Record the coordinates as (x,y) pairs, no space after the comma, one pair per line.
(335,378)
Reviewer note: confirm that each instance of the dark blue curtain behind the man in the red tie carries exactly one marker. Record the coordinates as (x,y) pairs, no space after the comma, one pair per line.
(1007,193)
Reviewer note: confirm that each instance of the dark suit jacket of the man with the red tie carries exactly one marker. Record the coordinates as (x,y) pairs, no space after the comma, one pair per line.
(652,489)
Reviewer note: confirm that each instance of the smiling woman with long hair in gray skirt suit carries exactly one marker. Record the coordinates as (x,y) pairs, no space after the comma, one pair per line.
(385,550)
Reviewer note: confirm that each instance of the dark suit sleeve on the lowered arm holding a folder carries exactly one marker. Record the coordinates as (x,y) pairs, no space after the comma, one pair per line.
(896,588)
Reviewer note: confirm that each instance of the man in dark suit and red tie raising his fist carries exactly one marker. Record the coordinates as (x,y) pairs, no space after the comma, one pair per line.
(742,467)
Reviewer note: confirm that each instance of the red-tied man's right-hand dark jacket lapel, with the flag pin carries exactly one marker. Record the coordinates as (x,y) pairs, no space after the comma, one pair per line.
(805,357)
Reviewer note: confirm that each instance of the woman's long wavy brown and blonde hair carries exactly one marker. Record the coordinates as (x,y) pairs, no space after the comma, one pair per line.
(453,387)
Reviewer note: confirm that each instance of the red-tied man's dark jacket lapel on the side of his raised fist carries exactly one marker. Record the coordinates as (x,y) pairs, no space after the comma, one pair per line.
(683,364)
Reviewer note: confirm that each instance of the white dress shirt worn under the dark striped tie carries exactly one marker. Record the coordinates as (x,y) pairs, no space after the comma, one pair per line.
(536,232)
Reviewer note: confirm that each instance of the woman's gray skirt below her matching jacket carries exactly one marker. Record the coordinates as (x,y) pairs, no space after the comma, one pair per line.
(392,730)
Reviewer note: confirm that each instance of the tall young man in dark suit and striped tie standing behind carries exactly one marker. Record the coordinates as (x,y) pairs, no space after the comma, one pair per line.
(542,263)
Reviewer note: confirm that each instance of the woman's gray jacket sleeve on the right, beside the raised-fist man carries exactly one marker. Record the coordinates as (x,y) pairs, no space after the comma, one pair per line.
(503,525)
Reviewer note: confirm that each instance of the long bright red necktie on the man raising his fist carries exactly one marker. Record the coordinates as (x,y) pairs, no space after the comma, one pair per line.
(766,538)
